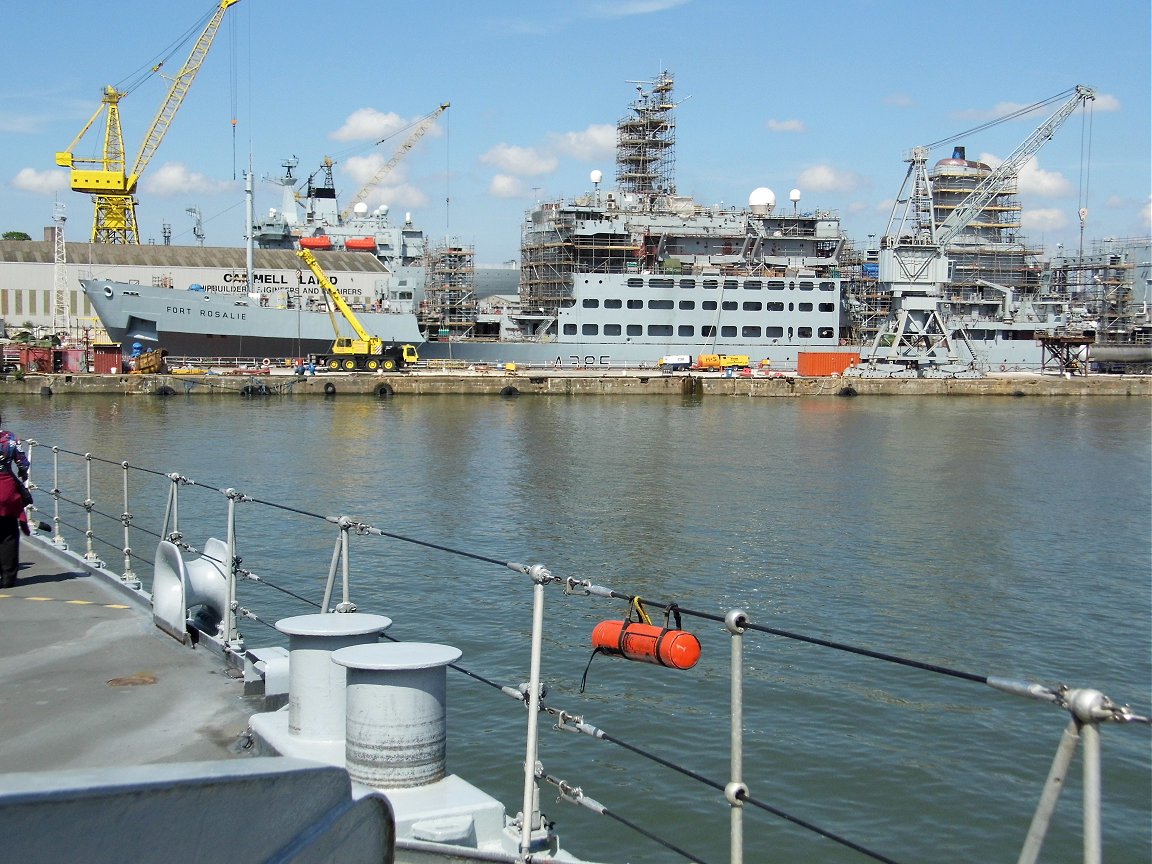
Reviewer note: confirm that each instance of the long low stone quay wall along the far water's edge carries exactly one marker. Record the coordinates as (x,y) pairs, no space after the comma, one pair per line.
(571,385)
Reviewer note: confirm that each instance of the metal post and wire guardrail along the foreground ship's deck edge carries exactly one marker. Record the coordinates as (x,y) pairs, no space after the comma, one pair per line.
(87,499)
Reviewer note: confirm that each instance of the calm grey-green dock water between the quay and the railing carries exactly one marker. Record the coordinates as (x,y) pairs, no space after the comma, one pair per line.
(998,537)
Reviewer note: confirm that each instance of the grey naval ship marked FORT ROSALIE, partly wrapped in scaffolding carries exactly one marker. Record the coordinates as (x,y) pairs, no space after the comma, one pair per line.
(639,272)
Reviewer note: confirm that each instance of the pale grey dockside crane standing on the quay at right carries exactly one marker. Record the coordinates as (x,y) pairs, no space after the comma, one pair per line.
(914,264)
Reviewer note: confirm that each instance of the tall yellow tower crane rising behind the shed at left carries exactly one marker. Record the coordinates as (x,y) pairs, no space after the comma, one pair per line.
(107,178)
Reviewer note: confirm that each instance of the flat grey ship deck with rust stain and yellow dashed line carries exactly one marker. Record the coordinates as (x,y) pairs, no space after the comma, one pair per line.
(88,681)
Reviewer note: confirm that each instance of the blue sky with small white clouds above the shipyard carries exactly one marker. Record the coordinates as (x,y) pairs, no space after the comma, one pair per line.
(825,97)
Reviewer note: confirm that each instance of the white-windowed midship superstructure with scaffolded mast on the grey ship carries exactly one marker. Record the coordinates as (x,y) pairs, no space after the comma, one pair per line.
(640,271)
